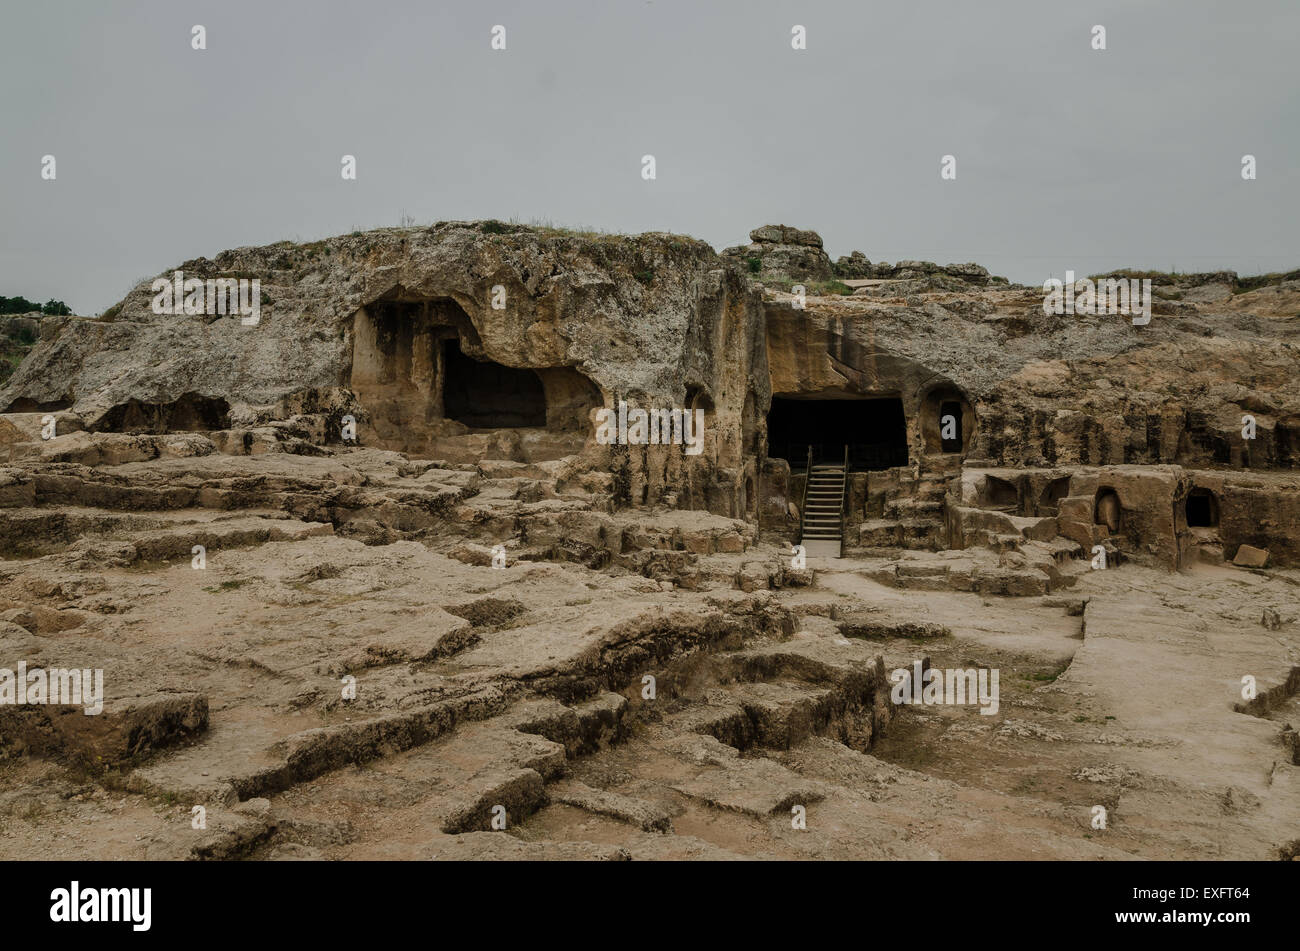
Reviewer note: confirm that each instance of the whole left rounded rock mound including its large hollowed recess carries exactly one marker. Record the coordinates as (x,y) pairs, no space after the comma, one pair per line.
(408,331)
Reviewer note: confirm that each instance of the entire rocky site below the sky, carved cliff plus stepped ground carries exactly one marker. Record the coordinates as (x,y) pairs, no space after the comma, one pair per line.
(392,484)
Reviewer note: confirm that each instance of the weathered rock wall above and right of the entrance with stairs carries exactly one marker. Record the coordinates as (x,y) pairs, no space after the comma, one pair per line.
(1056,390)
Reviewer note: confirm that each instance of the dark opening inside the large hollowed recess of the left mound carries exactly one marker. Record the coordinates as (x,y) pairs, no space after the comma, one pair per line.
(487,396)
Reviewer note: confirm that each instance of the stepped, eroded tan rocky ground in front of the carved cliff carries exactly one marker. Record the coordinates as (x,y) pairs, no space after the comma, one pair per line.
(518,694)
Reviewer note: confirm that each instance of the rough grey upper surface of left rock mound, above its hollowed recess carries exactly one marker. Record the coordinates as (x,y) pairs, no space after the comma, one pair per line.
(634,315)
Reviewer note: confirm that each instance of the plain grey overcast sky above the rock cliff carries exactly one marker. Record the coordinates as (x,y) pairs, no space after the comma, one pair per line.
(1067,157)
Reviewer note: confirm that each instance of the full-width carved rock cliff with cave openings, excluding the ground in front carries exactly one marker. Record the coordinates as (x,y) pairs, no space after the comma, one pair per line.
(467,342)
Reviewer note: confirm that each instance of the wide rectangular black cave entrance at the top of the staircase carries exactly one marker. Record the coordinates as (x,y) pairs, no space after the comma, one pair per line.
(876,431)
